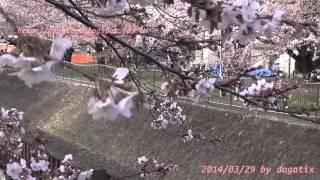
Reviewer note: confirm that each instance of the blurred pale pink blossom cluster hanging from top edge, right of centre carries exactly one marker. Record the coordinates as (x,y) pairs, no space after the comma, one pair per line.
(241,17)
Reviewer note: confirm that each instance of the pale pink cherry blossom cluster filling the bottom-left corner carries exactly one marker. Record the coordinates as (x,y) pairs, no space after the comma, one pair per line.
(11,133)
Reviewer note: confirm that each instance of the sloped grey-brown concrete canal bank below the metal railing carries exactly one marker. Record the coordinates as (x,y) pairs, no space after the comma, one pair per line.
(59,110)
